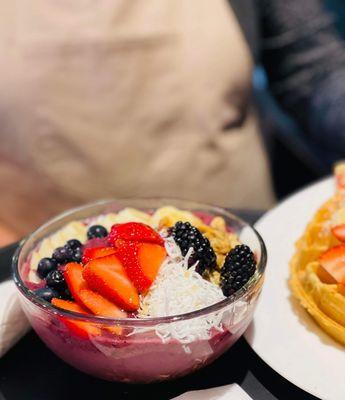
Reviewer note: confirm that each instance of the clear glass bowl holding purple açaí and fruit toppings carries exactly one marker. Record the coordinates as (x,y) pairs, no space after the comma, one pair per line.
(144,352)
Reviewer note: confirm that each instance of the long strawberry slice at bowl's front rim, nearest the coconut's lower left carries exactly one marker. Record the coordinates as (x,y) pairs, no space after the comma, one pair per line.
(102,307)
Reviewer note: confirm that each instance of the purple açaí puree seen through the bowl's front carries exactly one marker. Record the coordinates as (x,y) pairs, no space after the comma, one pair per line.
(141,357)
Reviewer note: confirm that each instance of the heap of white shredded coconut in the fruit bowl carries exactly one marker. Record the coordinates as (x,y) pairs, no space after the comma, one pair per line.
(179,290)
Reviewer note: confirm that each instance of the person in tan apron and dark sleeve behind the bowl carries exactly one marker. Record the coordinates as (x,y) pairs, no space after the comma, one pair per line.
(143,98)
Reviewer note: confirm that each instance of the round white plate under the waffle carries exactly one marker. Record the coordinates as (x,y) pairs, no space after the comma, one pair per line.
(282,333)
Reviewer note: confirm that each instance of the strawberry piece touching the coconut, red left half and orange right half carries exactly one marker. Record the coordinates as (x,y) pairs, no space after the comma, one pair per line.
(141,262)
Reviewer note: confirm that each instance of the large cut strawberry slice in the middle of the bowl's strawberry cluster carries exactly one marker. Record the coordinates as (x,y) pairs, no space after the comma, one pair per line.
(107,276)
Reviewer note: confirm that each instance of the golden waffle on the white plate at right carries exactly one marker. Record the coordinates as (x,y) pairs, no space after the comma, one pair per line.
(319,295)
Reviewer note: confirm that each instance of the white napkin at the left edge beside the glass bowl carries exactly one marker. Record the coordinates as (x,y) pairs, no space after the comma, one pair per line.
(13,322)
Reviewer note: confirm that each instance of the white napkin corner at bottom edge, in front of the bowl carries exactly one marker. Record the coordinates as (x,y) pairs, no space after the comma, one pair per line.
(228,392)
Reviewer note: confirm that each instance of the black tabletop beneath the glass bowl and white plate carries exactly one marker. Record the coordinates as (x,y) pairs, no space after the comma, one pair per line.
(30,371)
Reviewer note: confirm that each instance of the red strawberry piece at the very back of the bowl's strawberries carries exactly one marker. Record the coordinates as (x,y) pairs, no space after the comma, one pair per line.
(135,232)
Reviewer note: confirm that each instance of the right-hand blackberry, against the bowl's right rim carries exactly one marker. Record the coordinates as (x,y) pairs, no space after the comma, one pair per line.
(239,266)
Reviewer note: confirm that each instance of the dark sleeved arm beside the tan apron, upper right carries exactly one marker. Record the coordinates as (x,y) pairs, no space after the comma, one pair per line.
(305,61)
